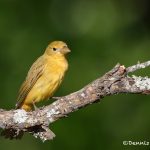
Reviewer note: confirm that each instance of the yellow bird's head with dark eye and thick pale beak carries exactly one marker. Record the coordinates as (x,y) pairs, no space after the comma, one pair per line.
(57,48)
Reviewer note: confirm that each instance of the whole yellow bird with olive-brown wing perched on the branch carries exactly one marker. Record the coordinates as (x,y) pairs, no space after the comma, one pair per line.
(44,76)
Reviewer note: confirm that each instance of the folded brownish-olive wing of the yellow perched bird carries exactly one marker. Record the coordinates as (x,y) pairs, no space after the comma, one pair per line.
(34,74)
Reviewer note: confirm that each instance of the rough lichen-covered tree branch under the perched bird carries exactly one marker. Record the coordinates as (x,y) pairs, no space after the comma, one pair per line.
(16,122)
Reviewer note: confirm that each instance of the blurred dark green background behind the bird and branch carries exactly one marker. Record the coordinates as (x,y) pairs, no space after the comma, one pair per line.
(100,34)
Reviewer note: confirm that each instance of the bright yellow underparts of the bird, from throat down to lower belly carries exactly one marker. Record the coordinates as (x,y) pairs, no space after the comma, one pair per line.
(50,80)
